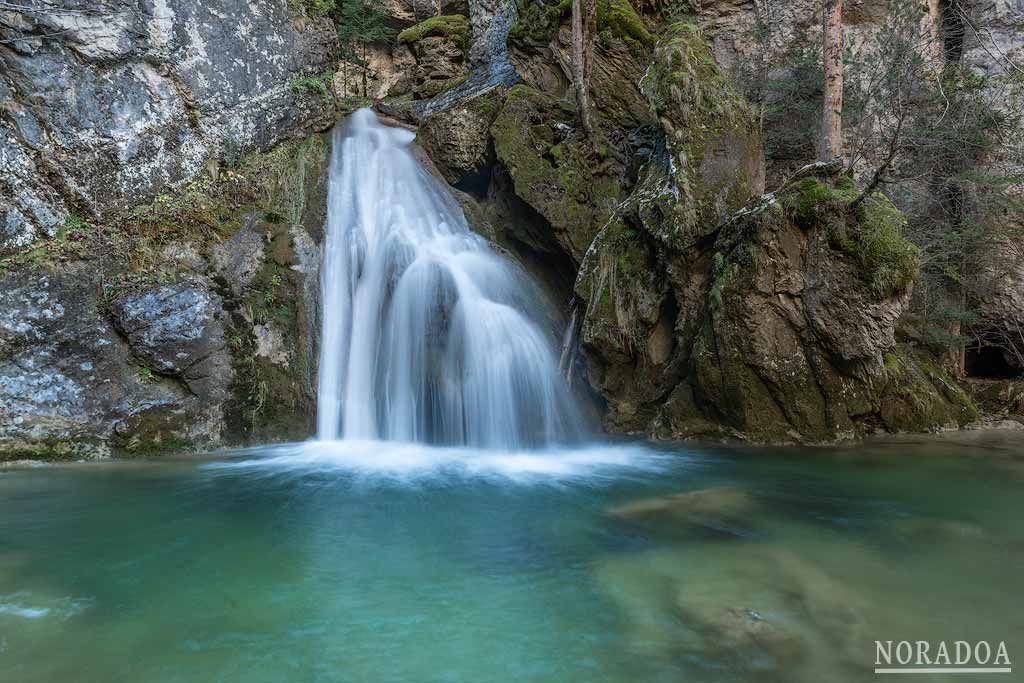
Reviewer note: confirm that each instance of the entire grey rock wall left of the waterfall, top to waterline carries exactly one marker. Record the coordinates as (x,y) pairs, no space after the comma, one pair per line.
(161,195)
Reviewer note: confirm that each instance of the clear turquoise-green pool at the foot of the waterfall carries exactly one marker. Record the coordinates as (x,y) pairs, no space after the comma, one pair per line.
(385,563)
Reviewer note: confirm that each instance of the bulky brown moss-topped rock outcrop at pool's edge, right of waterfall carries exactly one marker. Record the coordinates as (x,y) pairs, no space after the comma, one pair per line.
(780,328)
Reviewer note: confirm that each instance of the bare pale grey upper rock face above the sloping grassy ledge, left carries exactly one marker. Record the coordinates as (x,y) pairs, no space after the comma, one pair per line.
(107,104)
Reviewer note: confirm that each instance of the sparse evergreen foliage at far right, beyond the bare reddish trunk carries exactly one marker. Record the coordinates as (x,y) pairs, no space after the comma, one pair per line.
(947,137)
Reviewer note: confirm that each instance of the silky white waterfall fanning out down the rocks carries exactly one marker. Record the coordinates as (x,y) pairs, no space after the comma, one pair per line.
(428,333)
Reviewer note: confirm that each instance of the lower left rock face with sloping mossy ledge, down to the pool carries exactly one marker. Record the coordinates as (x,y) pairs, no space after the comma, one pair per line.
(191,325)
